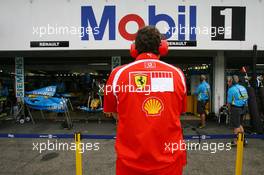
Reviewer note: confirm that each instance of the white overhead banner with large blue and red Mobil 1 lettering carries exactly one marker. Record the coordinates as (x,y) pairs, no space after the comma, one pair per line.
(112,24)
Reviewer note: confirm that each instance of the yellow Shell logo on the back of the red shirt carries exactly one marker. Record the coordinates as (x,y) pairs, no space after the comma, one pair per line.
(153,106)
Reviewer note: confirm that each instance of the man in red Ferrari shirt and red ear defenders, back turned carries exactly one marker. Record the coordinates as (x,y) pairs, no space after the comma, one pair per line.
(148,96)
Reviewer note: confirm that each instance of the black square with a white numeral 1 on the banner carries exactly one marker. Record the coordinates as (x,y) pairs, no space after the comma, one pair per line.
(230,22)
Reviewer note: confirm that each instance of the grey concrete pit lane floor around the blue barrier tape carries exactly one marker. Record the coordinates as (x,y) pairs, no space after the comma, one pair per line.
(19,157)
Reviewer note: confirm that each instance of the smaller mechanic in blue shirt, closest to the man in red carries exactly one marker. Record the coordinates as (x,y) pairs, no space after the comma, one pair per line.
(203,95)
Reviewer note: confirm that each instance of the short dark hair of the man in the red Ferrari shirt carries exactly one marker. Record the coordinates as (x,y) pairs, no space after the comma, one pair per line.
(148,40)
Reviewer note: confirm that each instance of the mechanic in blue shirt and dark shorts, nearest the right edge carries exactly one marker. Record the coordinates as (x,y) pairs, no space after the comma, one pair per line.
(237,99)
